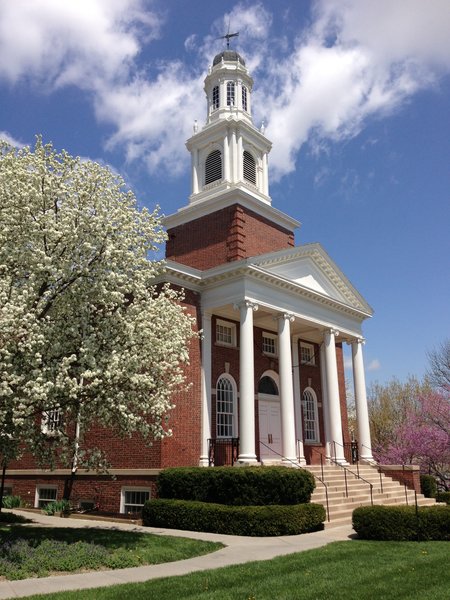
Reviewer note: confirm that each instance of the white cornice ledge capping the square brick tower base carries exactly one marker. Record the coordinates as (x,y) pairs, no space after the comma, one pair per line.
(224,199)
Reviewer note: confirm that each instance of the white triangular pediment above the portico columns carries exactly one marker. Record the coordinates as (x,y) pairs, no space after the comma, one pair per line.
(310,267)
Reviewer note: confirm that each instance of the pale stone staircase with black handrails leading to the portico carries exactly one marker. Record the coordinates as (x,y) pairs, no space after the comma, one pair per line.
(341,507)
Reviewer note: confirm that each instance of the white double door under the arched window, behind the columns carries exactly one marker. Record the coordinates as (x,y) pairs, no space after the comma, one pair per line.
(269,428)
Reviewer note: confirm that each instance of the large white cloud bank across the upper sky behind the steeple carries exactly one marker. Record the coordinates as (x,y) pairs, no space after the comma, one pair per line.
(354,60)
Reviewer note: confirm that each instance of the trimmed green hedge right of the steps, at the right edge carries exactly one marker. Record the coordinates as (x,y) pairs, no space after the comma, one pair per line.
(402,523)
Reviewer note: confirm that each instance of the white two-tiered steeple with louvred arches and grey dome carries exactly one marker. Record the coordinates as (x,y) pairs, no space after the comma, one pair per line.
(229,152)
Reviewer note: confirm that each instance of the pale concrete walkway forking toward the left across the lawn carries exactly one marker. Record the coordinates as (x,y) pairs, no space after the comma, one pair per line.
(238,550)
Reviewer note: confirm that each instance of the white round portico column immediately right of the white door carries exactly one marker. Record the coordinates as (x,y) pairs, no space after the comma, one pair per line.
(286,390)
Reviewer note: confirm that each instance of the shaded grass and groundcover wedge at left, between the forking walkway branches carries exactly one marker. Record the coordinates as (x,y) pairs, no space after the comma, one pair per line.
(39,551)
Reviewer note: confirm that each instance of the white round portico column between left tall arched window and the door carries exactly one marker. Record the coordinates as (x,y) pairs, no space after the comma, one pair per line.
(247,452)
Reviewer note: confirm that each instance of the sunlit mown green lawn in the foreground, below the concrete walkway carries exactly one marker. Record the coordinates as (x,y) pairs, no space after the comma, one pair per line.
(353,570)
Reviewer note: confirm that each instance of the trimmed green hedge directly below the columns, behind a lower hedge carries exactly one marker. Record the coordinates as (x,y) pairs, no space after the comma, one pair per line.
(246,486)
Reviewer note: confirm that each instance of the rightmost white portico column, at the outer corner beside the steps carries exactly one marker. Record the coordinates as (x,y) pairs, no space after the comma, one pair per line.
(362,413)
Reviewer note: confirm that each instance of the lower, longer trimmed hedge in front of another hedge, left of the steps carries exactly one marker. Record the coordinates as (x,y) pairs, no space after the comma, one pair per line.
(270,520)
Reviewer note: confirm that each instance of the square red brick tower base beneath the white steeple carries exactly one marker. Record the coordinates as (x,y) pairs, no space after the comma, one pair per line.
(224,236)
